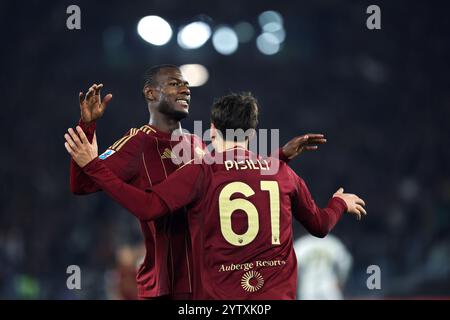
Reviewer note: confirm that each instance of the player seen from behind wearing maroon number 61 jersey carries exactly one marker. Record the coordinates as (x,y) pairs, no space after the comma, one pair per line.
(239,219)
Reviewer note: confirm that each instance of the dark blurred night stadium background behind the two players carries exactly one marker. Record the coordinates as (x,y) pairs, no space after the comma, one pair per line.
(380,96)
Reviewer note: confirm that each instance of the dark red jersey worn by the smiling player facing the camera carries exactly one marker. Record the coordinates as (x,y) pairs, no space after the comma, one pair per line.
(142,158)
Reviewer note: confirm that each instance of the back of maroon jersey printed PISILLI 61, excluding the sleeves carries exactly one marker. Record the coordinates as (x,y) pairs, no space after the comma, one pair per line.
(241,231)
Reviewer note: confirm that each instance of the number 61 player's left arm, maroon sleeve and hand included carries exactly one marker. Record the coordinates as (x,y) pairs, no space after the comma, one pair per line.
(180,189)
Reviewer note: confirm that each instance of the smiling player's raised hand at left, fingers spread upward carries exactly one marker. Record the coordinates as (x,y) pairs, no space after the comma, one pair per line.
(92,107)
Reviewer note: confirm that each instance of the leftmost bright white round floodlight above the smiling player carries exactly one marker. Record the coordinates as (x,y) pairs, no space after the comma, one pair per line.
(154,30)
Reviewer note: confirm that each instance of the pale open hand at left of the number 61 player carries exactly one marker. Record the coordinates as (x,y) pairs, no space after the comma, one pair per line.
(78,146)
